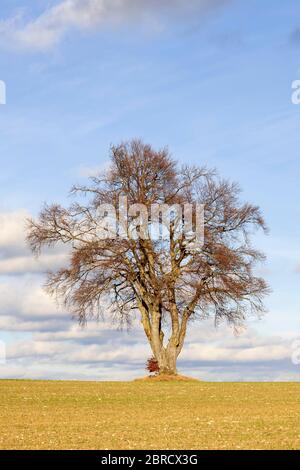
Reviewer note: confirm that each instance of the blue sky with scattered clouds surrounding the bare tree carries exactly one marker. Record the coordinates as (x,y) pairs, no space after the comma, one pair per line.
(213,82)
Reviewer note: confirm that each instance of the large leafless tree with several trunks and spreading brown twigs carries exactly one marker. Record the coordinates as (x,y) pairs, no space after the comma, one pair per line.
(164,279)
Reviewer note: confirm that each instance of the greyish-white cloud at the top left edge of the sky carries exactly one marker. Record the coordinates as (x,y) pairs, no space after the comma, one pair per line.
(51,26)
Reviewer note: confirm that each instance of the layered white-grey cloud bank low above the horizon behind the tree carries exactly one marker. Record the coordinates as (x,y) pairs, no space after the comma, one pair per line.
(42,341)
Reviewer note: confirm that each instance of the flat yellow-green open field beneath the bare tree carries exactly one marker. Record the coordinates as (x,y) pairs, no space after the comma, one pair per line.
(143,415)
